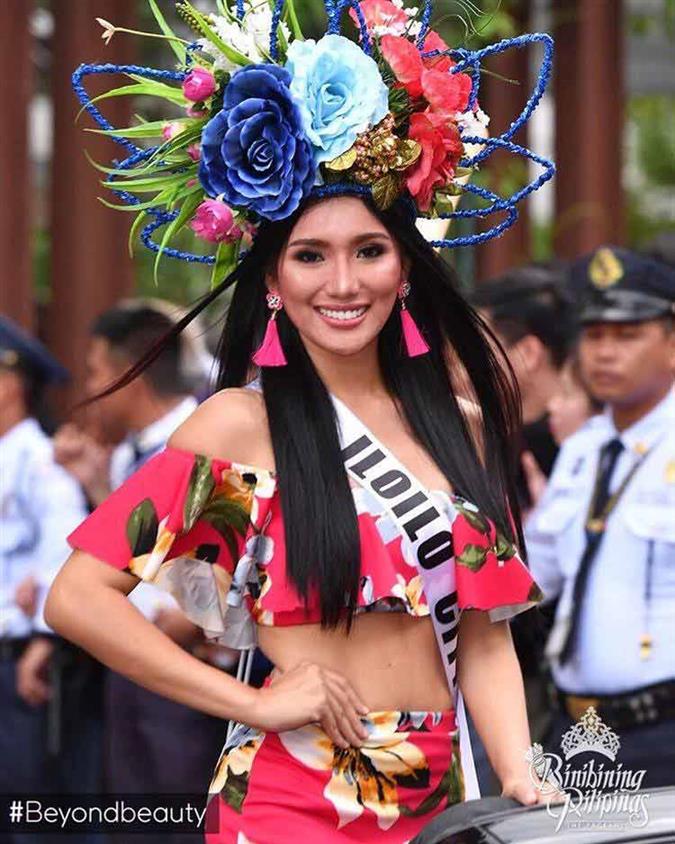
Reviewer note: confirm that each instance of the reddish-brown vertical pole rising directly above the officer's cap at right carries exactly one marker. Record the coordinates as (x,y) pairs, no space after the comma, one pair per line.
(589,90)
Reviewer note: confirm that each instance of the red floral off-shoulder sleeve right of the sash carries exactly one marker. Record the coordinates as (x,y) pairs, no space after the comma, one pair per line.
(490,575)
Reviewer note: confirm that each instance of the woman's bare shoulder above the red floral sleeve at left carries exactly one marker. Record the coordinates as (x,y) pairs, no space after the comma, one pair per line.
(230,425)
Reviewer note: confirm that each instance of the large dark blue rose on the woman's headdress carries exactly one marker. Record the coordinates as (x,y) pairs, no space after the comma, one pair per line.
(255,151)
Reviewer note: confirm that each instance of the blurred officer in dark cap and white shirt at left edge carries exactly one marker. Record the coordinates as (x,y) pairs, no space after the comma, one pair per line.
(39,504)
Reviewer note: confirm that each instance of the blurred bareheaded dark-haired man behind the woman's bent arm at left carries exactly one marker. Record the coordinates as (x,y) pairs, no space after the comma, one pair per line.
(178,745)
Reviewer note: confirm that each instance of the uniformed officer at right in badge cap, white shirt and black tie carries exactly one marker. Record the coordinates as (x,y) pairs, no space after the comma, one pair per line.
(603,536)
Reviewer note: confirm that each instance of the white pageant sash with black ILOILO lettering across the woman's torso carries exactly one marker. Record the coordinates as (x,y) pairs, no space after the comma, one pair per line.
(429,531)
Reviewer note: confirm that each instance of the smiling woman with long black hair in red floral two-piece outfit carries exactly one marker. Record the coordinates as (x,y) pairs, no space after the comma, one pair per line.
(356,734)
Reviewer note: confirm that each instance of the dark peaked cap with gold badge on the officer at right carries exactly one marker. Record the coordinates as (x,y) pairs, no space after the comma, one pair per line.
(616,285)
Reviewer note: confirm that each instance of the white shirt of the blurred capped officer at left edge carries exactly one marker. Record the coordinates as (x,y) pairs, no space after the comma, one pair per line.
(40,504)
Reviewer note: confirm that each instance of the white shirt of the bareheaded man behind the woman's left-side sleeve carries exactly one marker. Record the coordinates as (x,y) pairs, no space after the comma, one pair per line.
(146,597)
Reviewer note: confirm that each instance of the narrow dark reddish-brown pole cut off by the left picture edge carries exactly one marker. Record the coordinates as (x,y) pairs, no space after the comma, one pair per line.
(16,209)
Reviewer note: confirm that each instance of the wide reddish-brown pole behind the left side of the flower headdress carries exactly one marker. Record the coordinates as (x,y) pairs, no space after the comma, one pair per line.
(90,265)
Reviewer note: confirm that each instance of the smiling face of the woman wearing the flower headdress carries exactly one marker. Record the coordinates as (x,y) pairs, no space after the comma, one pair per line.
(338,276)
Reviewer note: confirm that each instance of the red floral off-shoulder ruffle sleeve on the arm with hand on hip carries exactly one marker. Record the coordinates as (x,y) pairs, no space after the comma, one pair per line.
(181,522)
